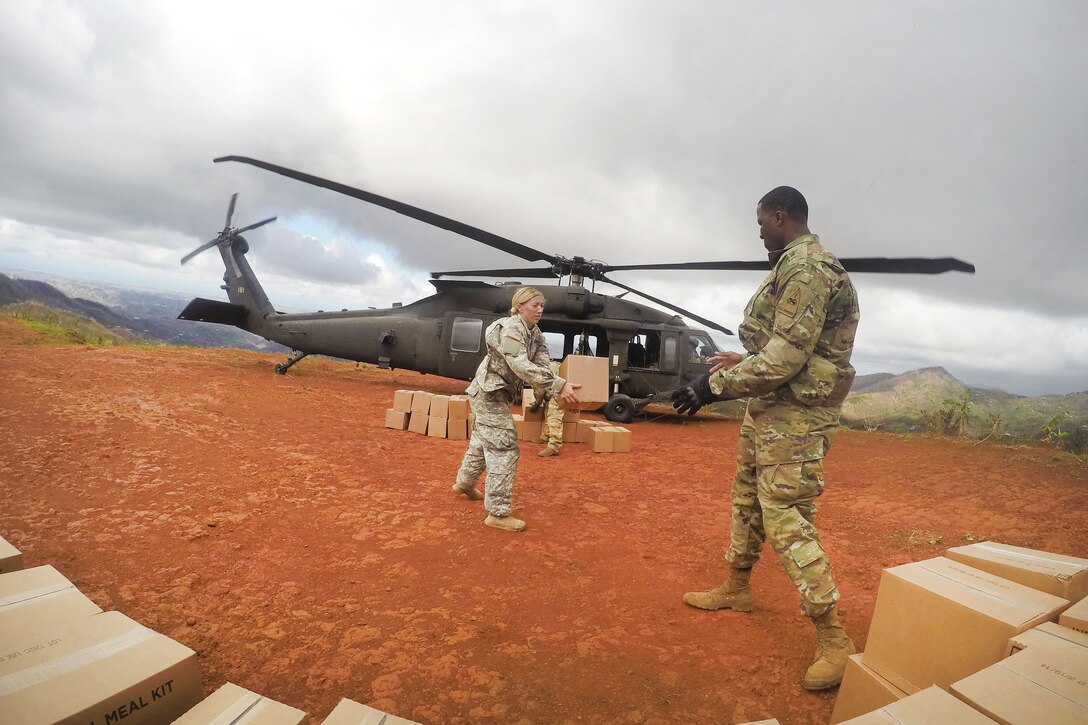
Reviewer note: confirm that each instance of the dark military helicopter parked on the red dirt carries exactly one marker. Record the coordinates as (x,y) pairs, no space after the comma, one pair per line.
(650,352)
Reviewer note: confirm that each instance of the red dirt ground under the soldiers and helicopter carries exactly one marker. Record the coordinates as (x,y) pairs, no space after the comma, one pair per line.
(307,554)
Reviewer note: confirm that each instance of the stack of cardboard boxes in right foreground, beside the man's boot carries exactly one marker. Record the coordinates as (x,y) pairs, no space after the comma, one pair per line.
(981,626)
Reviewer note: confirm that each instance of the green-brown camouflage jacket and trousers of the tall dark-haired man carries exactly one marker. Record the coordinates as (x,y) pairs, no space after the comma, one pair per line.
(799,333)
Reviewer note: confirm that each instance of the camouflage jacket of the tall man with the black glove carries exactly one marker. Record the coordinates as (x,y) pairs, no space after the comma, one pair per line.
(799,331)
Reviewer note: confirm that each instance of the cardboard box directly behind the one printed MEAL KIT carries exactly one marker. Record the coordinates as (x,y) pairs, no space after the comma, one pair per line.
(35,600)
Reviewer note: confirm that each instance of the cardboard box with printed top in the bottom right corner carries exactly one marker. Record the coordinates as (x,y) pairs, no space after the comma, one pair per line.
(1038,685)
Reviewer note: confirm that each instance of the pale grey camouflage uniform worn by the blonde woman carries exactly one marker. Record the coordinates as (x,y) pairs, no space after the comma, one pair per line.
(517,354)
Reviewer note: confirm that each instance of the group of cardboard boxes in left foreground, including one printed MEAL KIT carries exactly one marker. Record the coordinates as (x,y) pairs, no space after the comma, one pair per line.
(65,660)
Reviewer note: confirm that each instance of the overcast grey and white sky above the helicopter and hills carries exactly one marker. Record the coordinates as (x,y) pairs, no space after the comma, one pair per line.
(628,132)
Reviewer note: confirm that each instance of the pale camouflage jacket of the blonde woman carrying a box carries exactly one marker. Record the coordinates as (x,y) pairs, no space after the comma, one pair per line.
(517,354)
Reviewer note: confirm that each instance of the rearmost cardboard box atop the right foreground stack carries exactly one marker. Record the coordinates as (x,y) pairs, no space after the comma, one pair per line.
(1055,574)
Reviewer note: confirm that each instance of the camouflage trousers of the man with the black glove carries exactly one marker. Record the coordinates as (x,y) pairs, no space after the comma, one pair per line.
(774,497)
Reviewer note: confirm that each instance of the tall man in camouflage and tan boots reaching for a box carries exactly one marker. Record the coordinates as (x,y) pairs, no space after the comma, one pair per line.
(799,333)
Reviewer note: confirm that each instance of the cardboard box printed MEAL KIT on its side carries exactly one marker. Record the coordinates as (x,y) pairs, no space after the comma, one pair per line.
(103,669)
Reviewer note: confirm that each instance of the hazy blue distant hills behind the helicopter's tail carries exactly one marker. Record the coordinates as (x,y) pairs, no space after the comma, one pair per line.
(144,314)
